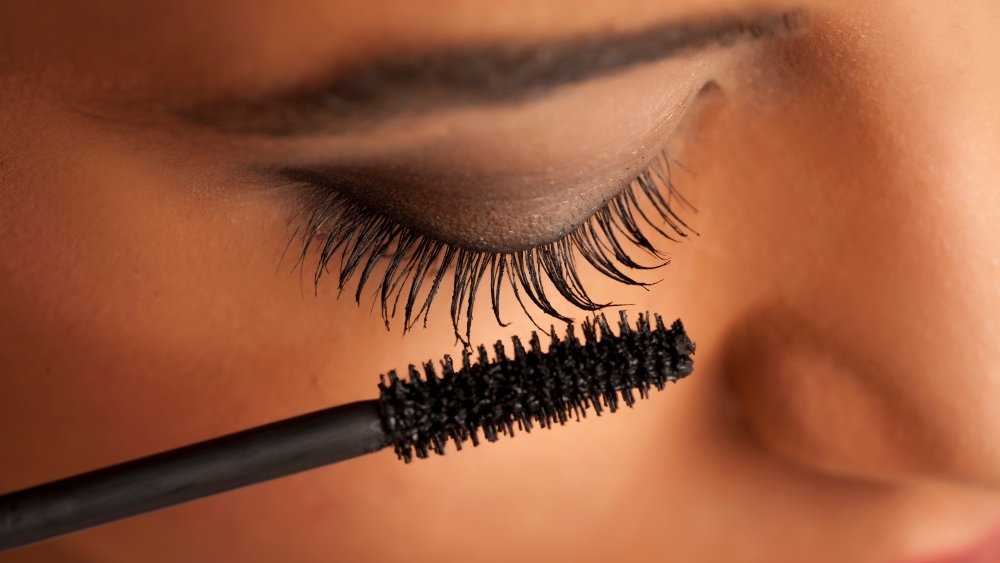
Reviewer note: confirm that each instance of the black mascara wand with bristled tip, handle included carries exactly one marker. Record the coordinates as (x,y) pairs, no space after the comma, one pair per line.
(416,416)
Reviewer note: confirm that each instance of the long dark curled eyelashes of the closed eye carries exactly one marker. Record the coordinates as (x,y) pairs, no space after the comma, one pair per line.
(362,238)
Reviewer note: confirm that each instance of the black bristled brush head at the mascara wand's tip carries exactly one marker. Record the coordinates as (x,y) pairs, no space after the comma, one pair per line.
(532,388)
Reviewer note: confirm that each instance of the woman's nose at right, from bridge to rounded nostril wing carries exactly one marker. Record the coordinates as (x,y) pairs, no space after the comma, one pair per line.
(869,336)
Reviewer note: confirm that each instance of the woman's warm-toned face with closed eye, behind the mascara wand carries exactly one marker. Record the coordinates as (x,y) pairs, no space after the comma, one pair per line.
(158,161)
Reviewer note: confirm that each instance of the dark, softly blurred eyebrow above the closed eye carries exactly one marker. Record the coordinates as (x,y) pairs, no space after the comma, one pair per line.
(411,83)
